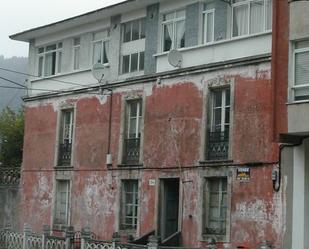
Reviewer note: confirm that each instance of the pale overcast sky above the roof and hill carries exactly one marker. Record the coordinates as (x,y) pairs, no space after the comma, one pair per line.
(20,15)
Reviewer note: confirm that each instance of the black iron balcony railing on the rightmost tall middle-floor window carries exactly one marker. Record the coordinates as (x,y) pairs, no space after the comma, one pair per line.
(217,145)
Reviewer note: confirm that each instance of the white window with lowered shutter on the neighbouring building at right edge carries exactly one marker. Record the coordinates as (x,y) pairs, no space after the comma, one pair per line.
(301,70)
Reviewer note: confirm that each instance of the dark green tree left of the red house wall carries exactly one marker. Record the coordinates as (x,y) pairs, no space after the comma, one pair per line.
(11,137)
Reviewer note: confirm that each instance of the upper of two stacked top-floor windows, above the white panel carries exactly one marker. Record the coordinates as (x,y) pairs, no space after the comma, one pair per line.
(133,30)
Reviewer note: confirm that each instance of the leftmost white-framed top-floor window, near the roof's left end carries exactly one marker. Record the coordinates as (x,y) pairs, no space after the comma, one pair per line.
(50,59)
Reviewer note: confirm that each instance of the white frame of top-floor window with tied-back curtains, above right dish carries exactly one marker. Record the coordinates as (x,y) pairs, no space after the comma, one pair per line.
(174,22)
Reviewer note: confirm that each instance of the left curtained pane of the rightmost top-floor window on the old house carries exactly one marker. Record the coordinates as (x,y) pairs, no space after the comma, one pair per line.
(240,20)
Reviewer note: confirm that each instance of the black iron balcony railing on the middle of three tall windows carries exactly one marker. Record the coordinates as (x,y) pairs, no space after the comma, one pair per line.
(131,151)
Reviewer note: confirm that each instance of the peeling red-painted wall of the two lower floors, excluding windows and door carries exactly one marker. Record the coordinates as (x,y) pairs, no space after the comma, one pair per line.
(173,133)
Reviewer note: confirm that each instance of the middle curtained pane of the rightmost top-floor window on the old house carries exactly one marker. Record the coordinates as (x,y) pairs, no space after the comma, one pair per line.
(256,17)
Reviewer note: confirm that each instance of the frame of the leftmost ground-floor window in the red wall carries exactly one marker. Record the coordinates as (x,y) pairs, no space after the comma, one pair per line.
(57,215)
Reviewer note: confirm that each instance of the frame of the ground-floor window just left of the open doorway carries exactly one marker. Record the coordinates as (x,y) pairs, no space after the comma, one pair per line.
(124,204)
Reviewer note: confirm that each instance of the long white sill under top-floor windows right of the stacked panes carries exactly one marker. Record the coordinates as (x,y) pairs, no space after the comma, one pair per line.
(214,43)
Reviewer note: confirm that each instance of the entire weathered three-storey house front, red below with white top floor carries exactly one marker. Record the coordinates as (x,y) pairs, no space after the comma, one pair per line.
(188,150)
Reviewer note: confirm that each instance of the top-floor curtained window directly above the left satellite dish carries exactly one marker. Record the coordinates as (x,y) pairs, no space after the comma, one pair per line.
(100,47)
